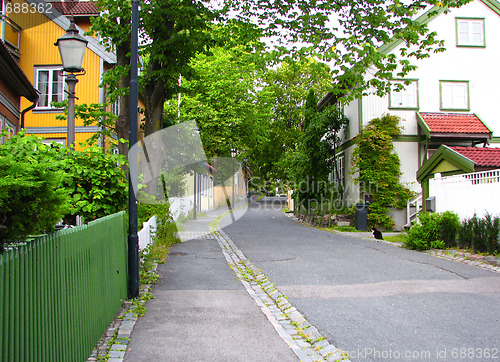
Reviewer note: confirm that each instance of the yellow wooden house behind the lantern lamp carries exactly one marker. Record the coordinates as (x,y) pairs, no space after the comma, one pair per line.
(30,28)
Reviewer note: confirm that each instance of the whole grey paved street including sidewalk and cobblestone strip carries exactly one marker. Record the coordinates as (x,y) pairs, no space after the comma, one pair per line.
(371,300)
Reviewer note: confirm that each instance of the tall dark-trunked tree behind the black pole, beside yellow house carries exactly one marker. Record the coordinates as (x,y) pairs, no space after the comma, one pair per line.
(172,32)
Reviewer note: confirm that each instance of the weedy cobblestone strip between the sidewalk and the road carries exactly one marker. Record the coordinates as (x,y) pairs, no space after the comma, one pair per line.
(303,338)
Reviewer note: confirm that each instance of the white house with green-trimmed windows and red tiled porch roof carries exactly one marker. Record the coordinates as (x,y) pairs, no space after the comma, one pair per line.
(451,98)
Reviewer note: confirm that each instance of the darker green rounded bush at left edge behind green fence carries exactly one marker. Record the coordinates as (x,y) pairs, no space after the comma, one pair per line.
(31,201)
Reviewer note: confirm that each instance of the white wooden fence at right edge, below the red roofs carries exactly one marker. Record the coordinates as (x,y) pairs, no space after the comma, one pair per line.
(475,193)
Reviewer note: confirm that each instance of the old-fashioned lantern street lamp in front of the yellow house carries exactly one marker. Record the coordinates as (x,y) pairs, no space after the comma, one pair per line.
(72,49)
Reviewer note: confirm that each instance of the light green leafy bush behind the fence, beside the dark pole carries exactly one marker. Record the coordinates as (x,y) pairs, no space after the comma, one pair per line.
(93,180)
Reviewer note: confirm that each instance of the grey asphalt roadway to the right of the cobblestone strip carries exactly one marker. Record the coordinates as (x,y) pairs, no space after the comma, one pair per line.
(373,300)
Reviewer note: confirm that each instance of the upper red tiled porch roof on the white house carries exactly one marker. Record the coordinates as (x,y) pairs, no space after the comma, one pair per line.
(454,123)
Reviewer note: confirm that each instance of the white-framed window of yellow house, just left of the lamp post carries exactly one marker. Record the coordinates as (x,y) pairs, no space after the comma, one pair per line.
(50,84)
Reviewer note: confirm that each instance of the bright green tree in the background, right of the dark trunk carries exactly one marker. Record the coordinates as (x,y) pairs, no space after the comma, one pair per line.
(224,99)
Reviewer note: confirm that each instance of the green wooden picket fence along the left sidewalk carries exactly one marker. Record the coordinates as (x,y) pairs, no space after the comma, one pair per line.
(58,293)
